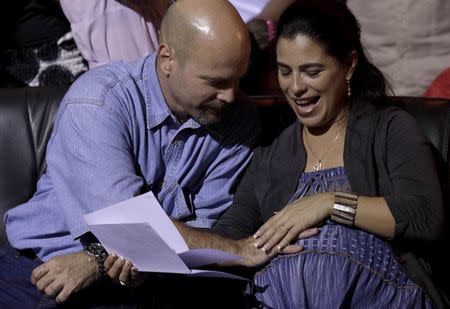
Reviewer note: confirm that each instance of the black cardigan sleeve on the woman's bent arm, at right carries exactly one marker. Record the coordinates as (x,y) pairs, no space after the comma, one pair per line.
(412,190)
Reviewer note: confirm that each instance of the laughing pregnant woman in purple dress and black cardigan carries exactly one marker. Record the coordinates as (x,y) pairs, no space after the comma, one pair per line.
(341,167)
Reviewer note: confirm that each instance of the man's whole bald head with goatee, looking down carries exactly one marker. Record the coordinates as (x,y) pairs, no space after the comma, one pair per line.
(204,50)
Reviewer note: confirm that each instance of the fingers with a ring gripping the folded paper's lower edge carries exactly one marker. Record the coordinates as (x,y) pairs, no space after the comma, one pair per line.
(123,271)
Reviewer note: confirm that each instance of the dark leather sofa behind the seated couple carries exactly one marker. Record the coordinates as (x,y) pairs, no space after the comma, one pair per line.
(27,115)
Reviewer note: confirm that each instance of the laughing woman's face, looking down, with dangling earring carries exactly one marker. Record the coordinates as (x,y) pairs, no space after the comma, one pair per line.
(314,83)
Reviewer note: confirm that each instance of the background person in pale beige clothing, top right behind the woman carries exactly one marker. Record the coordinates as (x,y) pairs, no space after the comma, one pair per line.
(409,40)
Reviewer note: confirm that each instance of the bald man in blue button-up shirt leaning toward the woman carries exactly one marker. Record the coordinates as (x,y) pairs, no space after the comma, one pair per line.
(169,123)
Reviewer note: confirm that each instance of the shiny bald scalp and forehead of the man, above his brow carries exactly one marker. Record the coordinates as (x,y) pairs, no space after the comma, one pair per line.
(189,24)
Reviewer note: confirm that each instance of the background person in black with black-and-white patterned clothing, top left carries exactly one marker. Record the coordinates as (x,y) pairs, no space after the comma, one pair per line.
(38,46)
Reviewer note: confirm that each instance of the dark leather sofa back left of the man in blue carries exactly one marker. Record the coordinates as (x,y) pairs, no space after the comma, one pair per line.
(26,122)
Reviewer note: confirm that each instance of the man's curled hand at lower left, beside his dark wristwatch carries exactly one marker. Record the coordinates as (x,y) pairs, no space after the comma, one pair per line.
(64,275)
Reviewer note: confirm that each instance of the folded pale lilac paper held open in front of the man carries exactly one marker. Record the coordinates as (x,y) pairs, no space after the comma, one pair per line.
(139,230)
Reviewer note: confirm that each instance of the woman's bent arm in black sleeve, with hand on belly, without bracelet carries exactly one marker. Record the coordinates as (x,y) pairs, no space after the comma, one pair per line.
(412,205)
